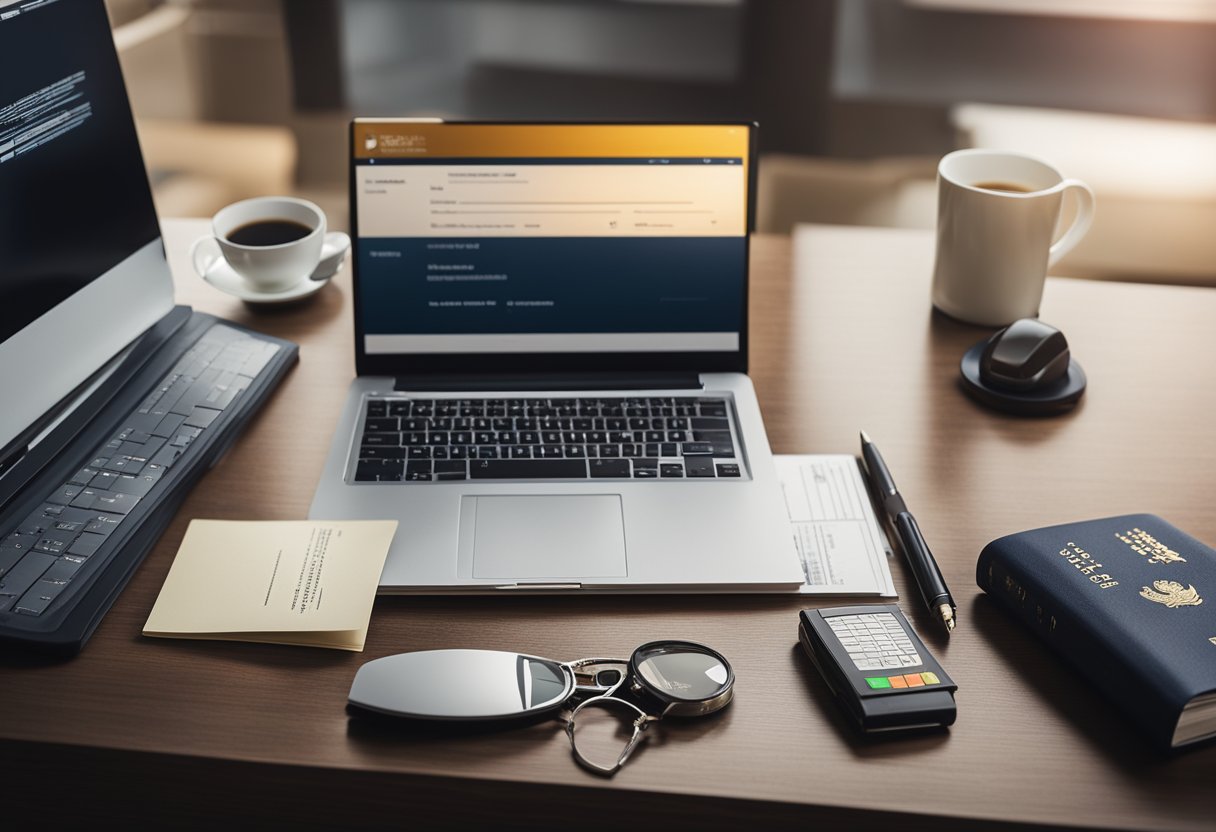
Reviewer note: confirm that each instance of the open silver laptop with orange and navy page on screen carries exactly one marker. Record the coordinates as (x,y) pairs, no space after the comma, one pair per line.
(551,351)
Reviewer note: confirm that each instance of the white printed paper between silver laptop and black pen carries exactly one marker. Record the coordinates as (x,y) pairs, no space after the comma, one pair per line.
(840,542)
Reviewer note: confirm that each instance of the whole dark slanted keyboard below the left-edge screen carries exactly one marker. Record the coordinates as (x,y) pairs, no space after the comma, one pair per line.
(87,526)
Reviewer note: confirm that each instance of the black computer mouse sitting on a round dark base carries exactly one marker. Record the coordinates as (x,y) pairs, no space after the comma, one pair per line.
(1027,356)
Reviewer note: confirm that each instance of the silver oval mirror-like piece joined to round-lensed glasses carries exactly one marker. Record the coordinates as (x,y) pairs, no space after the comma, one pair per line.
(611,696)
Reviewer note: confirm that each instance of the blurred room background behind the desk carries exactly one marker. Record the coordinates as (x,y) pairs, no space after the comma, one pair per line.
(857,99)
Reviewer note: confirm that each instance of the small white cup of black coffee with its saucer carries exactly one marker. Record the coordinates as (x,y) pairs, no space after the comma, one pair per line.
(277,267)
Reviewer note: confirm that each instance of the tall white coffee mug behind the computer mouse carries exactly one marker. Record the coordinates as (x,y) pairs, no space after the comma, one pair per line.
(994,245)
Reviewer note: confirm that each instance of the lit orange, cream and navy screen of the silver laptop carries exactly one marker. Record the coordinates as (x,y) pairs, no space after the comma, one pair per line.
(551,238)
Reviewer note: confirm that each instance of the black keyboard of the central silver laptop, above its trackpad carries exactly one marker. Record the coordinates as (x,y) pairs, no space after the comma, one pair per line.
(430,441)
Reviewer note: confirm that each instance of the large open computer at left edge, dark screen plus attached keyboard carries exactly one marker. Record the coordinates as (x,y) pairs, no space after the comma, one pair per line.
(116,402)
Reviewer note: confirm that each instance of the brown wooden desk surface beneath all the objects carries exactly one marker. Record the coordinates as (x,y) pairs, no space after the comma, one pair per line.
(843,339)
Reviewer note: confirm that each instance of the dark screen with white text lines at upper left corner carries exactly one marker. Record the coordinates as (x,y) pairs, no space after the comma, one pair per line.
(75,200)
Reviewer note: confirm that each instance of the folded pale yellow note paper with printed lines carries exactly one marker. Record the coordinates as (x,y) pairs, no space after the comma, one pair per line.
(279,582)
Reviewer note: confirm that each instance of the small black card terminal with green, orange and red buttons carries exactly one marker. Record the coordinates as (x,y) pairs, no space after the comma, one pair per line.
(877,667)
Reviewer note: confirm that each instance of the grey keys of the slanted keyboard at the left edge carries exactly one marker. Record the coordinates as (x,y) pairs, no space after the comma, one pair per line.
(50,556)
